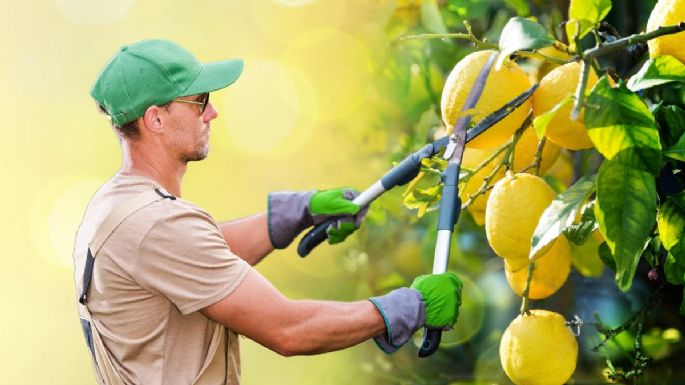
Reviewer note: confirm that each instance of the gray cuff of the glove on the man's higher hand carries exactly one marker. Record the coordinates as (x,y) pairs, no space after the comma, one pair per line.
(288,215)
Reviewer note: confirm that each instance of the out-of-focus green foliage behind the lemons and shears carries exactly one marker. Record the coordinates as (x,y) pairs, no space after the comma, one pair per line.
(399,244)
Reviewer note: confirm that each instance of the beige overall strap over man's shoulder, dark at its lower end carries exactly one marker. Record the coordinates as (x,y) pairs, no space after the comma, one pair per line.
(111,222)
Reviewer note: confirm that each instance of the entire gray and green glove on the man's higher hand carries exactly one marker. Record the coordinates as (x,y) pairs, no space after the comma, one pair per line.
(292,212)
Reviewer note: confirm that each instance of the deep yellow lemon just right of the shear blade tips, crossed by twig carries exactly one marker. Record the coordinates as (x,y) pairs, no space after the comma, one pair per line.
(557,85)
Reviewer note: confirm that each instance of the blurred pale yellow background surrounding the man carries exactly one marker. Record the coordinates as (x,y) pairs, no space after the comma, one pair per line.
(288,123)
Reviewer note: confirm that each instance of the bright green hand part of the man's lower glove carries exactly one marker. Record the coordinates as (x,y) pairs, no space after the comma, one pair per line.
(442,295)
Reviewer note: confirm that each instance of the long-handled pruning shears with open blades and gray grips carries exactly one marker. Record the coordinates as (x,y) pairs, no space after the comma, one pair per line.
(450,204)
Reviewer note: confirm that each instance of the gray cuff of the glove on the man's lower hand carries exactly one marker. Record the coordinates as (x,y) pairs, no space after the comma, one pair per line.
(404,313)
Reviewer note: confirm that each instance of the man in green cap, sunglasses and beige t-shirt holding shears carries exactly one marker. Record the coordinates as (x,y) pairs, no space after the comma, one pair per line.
(164,289)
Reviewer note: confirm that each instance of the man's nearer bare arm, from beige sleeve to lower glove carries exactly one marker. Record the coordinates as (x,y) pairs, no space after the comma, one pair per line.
(258,311)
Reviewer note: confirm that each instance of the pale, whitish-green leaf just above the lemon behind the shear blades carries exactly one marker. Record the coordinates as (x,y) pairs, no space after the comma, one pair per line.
(521,34)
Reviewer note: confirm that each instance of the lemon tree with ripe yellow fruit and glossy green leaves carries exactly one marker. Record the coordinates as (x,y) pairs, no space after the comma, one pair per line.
(584,181)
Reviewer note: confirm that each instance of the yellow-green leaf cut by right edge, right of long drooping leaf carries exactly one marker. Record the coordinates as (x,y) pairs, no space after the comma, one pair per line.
(671,222)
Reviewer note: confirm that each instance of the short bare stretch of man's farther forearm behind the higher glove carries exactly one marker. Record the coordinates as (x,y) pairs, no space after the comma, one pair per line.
(248,237)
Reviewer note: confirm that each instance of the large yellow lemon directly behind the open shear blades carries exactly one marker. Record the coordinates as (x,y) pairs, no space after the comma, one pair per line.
(500,88)
